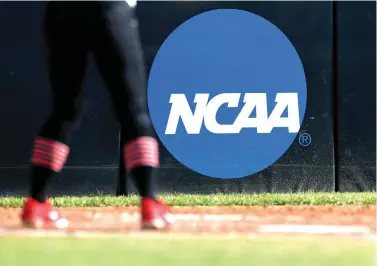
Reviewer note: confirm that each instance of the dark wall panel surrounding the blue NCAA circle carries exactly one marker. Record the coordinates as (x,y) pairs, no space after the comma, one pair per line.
(308,26)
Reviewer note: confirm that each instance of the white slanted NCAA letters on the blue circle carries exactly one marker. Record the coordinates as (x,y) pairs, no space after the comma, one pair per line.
(207,110)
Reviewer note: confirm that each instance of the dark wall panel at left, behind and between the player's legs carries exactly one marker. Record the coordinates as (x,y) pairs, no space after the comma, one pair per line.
(25,105)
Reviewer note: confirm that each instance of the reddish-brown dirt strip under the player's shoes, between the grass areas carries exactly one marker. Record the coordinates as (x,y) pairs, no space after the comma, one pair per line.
(210,219)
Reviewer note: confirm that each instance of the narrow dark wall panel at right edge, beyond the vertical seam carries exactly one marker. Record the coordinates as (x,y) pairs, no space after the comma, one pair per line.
(357,95)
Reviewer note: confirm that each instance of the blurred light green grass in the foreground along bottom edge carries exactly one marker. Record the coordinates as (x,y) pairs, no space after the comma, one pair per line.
(186,252)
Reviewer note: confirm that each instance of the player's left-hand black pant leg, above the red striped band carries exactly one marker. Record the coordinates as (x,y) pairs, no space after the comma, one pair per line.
(66,56)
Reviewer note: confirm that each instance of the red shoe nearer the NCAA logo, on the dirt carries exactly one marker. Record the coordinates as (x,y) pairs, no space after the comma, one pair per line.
(155,215)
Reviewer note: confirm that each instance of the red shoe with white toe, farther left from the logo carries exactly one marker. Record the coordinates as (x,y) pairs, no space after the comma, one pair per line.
(41,215)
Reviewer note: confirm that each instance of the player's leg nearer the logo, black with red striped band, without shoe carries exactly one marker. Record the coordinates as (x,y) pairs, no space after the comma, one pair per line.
(119,58)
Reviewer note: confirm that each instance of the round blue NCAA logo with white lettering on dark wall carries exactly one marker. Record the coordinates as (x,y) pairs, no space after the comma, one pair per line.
(227,93)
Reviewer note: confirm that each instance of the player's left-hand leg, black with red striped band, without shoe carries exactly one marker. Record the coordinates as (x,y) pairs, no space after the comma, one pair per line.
(66,61)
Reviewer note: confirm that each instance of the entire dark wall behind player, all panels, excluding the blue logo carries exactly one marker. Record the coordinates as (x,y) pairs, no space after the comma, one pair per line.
(92,166)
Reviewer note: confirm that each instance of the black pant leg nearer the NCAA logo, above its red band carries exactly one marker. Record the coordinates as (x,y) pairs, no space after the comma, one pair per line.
(120,60)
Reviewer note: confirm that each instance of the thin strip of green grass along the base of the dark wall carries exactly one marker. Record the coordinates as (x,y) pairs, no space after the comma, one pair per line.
(213,200)
